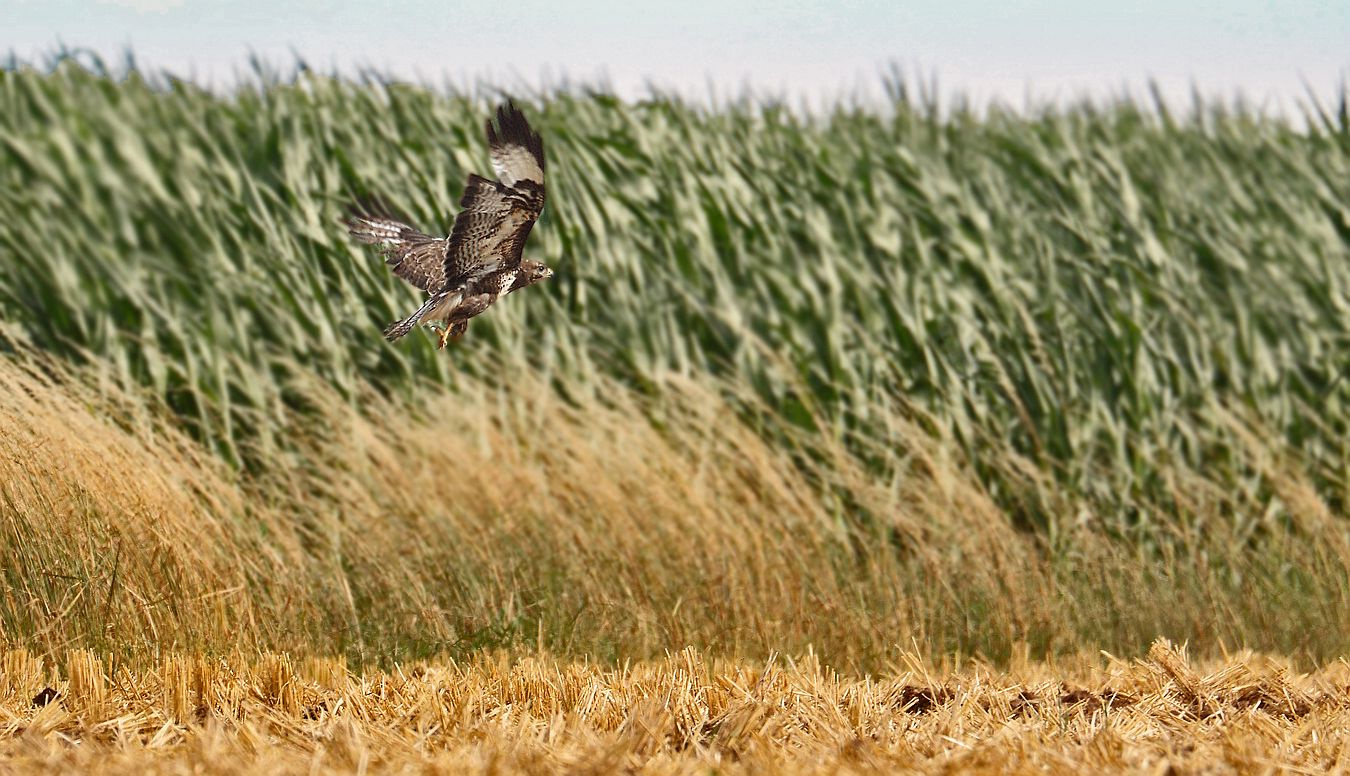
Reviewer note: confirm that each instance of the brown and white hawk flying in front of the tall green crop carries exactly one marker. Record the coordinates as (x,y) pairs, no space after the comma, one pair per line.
(481,260)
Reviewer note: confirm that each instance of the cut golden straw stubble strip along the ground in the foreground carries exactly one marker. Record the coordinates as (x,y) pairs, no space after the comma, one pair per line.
(684,715)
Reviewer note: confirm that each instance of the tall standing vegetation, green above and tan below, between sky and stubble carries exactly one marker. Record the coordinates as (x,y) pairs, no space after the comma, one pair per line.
(881,377)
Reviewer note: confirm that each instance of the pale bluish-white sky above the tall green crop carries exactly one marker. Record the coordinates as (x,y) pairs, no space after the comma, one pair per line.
(1005,49)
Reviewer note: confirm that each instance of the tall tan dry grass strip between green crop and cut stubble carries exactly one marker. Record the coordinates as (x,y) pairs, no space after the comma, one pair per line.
(601,527)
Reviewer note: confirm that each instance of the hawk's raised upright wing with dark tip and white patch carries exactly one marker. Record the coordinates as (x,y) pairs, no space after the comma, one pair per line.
(491,233)
